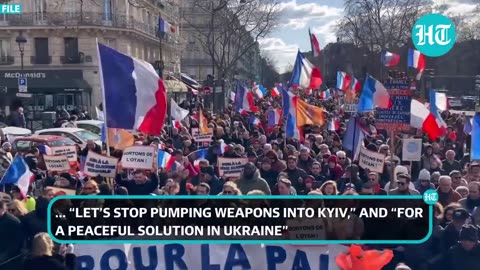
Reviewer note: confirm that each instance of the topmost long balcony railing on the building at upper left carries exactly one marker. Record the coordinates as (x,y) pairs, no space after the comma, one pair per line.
(52,19)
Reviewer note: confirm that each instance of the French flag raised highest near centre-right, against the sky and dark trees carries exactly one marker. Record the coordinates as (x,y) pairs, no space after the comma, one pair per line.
(305,75)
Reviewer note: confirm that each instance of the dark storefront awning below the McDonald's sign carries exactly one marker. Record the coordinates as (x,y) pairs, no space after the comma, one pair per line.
(54,85)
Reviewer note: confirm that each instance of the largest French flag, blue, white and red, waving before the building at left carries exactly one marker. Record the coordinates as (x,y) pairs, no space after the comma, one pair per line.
(135,96)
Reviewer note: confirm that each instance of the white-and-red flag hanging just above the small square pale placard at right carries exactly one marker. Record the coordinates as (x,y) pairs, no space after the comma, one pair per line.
(422,118)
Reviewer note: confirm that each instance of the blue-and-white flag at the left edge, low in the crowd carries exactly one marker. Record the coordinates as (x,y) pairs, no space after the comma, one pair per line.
(18,174)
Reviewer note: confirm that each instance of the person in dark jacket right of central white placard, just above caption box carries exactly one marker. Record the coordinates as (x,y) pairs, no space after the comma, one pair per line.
(251,180)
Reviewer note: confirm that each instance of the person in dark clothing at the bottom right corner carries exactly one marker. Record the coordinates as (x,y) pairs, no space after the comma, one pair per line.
(464,255)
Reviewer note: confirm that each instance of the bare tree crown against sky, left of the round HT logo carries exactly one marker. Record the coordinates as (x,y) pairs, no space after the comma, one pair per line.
(380,24)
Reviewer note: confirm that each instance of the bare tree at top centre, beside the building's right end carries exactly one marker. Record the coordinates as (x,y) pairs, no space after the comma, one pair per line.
(228,29)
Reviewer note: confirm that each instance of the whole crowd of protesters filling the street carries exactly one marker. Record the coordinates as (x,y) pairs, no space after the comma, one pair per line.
(318,165)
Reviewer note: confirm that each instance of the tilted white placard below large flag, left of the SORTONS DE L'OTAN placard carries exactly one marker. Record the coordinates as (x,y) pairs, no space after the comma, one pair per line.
(96,164)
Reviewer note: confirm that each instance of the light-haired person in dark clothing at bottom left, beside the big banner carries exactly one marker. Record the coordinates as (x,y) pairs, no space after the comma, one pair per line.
(43,257)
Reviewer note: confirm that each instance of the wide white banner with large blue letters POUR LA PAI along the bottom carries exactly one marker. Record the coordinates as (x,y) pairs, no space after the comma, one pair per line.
(207,256)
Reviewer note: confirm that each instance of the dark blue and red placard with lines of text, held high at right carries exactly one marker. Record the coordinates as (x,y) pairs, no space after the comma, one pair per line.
(398,116)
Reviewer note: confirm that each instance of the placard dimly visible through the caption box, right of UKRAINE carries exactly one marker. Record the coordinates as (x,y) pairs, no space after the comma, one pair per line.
(306,229)
